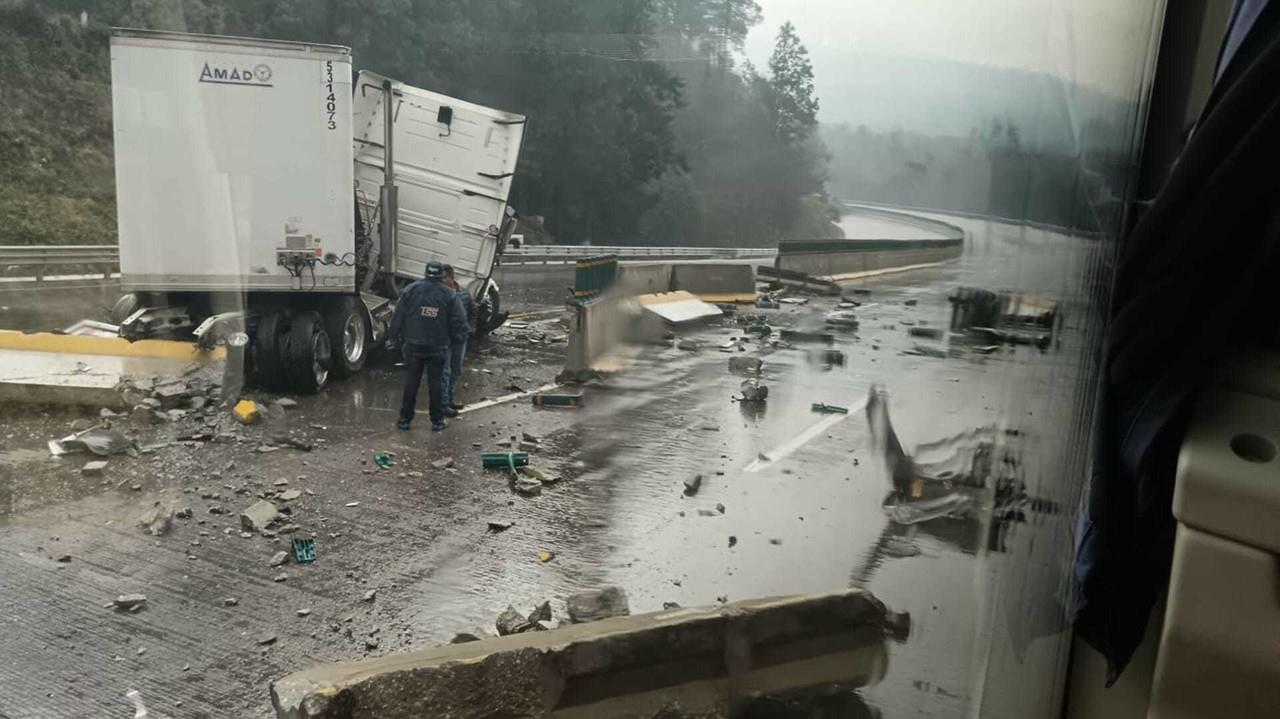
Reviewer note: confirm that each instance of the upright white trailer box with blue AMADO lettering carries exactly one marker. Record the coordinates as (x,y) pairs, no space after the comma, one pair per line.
(232,157)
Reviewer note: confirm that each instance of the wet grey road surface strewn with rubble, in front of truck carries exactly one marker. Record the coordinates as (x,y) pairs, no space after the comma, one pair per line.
(988,620)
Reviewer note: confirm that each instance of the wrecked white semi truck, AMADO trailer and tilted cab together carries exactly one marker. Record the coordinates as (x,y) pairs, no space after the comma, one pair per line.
(255,199)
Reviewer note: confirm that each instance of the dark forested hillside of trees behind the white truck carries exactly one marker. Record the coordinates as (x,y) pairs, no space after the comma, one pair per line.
(643,127)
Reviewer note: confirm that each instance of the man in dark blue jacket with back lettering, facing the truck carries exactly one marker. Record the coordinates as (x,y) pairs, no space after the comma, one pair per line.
(429,319)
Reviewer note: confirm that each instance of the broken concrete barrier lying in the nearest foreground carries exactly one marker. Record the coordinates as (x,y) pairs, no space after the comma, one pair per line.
(700,661)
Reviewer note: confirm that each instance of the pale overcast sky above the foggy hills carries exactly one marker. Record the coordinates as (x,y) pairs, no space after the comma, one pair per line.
(1098,44)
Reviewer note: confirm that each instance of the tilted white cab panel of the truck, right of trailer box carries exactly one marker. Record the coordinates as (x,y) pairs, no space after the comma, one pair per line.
(454,168)
